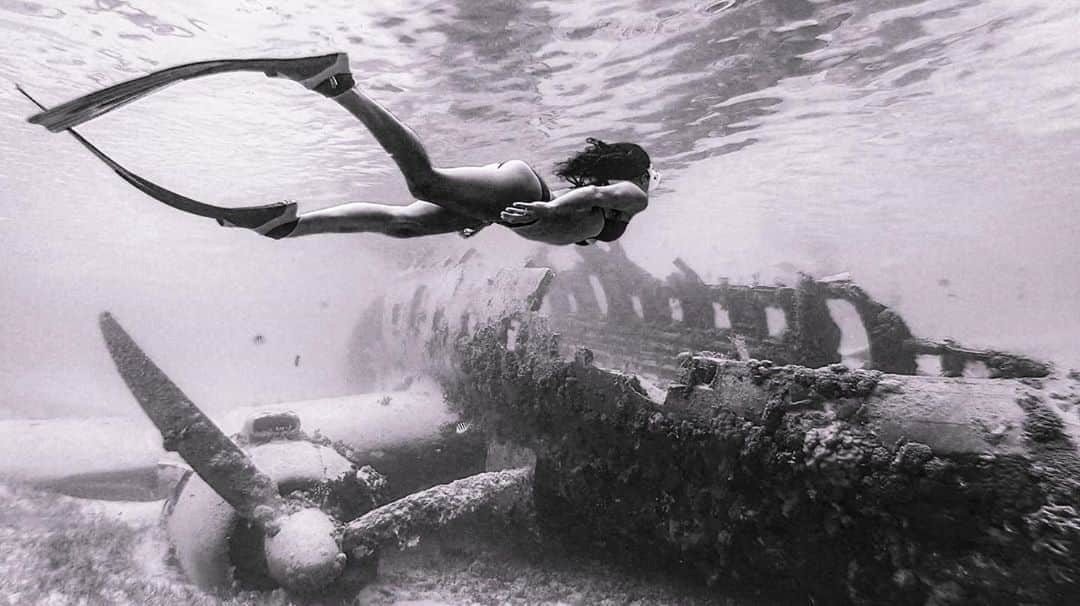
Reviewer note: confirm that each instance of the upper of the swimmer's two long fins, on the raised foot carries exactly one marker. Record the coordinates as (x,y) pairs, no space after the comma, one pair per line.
(90,106)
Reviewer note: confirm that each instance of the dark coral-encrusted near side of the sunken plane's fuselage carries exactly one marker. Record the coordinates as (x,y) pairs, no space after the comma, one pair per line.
(772,477)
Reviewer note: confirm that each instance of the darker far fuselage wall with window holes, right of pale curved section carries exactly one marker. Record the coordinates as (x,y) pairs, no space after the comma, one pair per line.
(683,312)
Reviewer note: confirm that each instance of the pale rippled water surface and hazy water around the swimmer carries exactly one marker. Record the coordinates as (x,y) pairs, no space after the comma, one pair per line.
(929,147)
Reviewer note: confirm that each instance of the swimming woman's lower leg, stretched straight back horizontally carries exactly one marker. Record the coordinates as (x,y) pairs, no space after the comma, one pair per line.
(416,220)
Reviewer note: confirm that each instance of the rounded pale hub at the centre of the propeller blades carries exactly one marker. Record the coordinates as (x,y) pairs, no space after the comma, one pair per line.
(304,555)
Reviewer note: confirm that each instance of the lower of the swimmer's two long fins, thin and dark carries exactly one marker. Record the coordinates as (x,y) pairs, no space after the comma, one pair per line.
(246,217)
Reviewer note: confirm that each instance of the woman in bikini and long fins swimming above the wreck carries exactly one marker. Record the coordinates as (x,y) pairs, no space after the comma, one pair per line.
(611,182)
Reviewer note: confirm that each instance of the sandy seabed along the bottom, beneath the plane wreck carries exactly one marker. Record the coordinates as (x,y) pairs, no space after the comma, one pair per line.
(60,551)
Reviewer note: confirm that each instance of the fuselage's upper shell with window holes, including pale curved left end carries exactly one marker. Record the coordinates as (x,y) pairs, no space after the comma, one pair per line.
(637,322)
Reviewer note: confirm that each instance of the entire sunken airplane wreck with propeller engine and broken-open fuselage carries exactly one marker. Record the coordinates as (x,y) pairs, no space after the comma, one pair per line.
(765,464)
